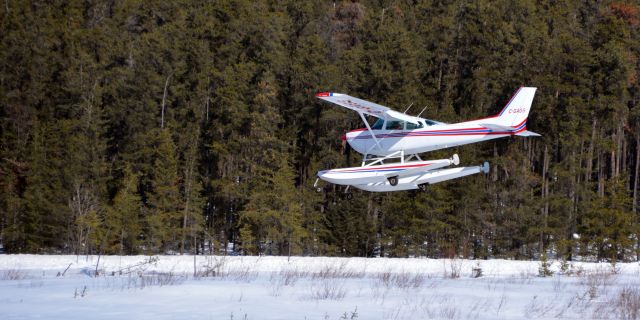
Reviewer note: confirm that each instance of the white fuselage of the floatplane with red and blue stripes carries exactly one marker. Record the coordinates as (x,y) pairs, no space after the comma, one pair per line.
(429,138)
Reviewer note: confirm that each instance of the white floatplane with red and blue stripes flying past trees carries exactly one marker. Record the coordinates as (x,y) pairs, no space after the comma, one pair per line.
(391,146)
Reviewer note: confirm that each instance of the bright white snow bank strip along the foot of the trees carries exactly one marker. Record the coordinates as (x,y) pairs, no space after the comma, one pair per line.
(266,264)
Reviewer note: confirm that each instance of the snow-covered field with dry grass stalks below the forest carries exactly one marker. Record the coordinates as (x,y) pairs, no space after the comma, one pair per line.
(179,287)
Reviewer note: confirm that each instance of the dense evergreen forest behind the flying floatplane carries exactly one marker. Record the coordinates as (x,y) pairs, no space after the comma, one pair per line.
(143,127)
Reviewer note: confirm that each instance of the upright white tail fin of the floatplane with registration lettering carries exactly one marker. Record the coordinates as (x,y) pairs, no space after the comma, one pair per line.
(516,112)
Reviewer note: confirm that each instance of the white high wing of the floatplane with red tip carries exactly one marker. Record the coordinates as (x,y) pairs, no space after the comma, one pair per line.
(366,107)
